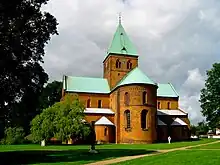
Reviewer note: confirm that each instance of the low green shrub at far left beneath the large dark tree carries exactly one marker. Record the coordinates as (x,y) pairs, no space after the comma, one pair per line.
(14,135)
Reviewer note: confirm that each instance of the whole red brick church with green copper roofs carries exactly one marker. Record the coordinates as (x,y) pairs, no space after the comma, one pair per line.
(126,105)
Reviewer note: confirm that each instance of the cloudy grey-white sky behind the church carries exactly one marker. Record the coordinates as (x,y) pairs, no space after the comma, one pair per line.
(178,40)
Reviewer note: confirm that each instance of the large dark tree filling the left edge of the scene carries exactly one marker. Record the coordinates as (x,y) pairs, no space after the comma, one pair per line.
(24,32)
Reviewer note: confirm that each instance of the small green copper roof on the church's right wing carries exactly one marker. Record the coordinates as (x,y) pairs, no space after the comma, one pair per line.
(166,90)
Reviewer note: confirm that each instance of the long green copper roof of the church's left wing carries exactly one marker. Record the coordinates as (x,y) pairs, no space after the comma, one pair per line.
(86,84)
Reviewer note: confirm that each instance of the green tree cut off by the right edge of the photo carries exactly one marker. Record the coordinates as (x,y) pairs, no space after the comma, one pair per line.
(210,96)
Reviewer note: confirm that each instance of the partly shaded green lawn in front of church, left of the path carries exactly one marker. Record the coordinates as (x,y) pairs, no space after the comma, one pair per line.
(63,154)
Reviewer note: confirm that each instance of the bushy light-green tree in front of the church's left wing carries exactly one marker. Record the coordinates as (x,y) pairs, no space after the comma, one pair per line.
(63,120)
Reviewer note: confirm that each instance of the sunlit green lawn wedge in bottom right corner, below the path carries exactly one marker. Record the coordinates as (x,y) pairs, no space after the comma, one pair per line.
(185,157)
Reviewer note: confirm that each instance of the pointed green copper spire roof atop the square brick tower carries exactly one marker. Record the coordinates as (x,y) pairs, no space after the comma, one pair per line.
(121,43)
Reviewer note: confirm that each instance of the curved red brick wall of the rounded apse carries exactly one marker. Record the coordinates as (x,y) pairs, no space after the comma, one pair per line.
(135,134)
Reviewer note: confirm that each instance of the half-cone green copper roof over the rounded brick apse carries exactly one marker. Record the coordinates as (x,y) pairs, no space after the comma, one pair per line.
(136,76)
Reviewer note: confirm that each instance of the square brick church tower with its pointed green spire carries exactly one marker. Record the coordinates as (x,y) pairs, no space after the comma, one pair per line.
(121,57)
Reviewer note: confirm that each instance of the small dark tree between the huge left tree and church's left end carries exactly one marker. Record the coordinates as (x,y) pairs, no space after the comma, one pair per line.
(51,94)
